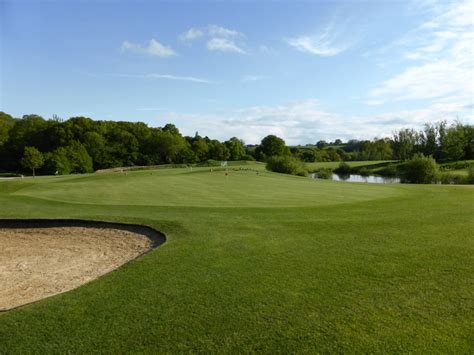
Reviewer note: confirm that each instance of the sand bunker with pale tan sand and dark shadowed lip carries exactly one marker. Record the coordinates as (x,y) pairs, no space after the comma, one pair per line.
(41,259)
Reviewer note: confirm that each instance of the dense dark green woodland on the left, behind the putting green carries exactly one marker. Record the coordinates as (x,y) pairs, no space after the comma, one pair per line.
(81,144)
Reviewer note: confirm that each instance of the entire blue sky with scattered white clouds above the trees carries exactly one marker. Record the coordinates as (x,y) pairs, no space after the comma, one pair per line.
(302,70)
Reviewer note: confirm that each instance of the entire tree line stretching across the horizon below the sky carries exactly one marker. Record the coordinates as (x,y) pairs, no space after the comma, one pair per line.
(80,145)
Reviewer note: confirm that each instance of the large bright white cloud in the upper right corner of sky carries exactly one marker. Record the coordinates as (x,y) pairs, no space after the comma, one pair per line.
(441,58)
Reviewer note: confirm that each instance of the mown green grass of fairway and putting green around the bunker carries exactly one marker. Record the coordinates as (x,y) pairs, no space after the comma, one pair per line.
(258,263)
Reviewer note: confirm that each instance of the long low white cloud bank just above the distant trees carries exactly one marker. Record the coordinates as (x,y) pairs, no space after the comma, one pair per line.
(305,121)
